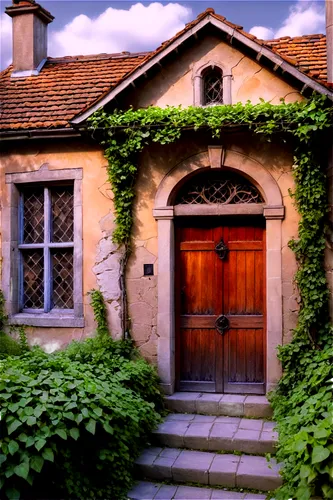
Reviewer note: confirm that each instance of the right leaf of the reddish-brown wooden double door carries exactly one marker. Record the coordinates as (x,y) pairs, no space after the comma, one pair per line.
(243,294)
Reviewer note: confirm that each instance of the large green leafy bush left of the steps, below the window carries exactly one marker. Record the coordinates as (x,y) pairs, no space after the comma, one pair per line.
(72,423)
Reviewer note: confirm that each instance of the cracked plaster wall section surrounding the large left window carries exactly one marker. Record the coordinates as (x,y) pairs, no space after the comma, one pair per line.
(100,255)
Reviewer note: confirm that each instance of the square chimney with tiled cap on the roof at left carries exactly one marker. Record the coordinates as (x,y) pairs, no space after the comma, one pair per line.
(30,22)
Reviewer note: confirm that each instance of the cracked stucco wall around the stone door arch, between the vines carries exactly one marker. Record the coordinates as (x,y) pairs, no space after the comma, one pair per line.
(156,162)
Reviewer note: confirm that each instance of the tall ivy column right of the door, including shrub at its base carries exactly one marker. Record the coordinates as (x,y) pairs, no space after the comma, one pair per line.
(303,403)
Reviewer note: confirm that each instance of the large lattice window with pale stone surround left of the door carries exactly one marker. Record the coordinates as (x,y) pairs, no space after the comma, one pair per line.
(42,252)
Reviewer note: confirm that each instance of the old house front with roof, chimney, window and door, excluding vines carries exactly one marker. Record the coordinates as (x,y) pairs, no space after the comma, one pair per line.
(212,218)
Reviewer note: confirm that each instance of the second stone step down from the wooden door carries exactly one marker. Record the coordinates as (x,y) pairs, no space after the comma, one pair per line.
(203,432)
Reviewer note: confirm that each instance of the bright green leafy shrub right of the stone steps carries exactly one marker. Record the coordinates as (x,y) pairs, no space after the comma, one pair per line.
(303,408)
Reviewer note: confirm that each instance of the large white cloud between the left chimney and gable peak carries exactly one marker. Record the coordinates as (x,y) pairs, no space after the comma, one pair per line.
(142,27)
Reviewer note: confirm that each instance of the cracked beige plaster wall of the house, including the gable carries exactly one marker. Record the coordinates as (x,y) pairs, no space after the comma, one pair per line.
(173,85)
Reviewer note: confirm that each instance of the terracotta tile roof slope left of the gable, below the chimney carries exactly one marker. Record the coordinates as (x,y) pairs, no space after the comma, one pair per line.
(65,87)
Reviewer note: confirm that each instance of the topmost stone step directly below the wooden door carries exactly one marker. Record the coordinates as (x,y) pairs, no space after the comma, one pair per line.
(232,405)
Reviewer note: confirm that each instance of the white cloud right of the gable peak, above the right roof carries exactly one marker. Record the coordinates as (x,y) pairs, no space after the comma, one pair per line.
(305,18)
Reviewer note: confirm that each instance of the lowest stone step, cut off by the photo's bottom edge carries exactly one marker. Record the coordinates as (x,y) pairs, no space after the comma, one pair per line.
(145,490)
